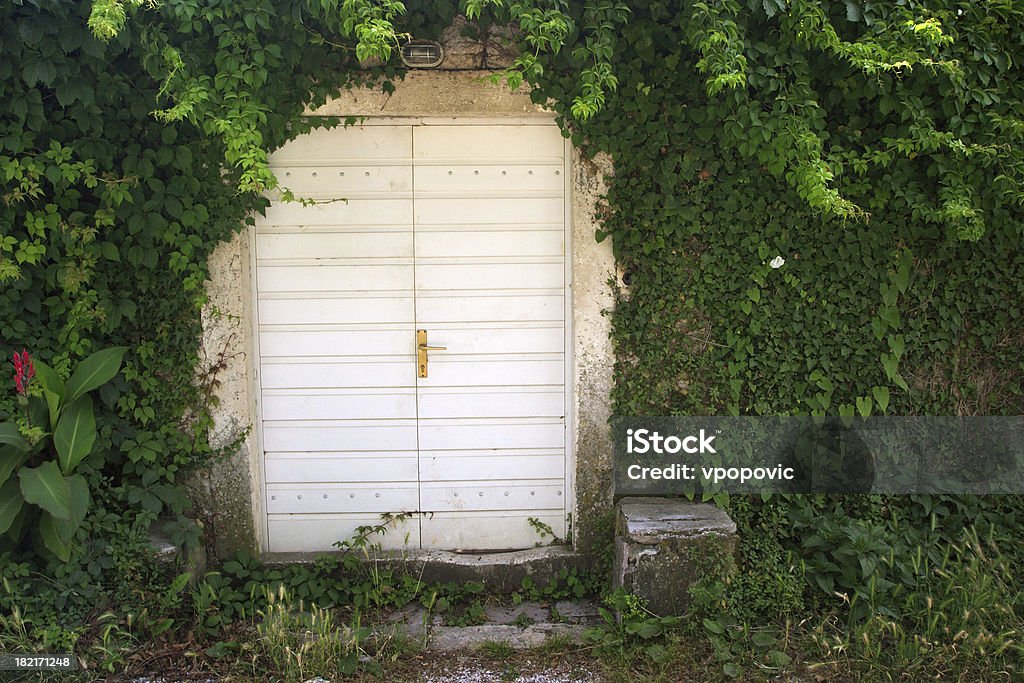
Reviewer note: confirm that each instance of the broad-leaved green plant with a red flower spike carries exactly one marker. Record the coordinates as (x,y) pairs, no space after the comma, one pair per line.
(41,495)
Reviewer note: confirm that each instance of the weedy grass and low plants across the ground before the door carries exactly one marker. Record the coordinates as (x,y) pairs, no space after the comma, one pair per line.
(958,617)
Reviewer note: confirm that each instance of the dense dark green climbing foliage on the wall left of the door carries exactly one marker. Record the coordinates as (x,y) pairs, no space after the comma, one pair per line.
(108,219)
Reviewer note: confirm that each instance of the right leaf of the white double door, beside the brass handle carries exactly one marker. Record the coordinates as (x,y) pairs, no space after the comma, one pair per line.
(490,261)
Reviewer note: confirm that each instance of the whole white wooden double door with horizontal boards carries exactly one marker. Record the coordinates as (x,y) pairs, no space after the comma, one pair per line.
(458,230)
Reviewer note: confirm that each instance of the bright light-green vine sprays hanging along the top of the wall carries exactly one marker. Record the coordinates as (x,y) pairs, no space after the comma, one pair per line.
(762,65)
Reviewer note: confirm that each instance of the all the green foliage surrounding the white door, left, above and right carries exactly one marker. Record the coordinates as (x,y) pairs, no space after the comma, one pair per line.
(817,208)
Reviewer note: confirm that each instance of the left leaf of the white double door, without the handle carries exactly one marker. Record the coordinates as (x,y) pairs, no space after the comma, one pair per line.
(336,311)
